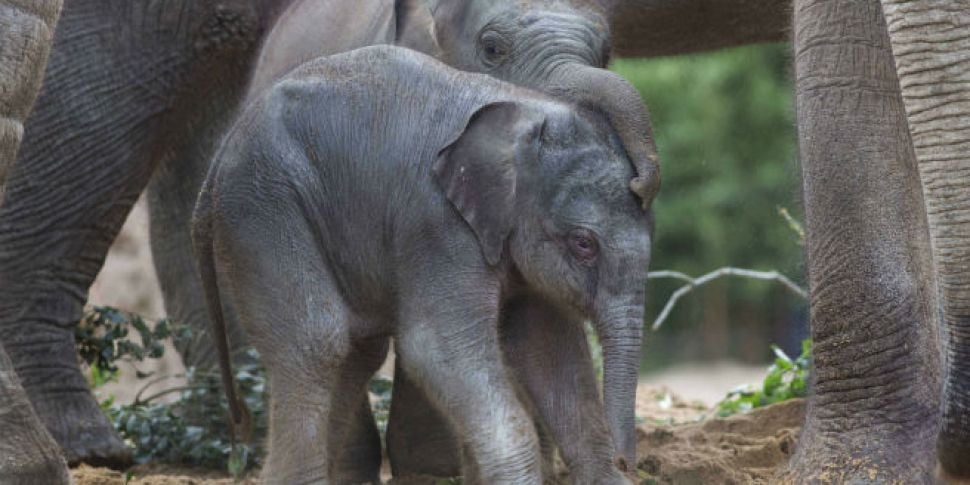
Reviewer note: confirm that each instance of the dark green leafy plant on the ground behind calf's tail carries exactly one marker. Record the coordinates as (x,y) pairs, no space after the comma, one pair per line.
(193,428)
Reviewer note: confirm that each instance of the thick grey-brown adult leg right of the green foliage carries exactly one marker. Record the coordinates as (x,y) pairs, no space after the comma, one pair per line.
(876,383)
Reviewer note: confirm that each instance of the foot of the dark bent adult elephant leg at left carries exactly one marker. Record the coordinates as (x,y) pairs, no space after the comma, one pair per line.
(82,430)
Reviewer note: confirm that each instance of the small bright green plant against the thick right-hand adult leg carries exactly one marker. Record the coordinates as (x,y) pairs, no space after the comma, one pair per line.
(786,379)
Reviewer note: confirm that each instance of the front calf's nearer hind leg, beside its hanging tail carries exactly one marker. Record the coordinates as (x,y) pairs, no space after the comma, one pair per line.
(292,313)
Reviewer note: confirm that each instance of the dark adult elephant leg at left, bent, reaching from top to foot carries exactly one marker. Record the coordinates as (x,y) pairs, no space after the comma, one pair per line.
(123,79)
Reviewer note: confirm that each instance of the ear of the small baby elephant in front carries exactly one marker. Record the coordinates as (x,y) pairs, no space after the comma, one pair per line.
(479,170)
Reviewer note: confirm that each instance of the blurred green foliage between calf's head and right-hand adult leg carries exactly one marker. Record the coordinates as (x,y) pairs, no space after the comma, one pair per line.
(724,126)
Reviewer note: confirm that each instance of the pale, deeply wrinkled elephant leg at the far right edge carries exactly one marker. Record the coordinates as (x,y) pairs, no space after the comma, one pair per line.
(932,52)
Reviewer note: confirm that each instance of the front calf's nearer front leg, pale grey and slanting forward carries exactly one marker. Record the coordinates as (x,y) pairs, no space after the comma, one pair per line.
(453,354)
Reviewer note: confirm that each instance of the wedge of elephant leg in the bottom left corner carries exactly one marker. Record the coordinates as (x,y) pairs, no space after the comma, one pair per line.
(29,453)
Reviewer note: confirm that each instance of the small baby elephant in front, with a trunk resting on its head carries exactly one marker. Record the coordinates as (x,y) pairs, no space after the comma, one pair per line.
(379,194)
